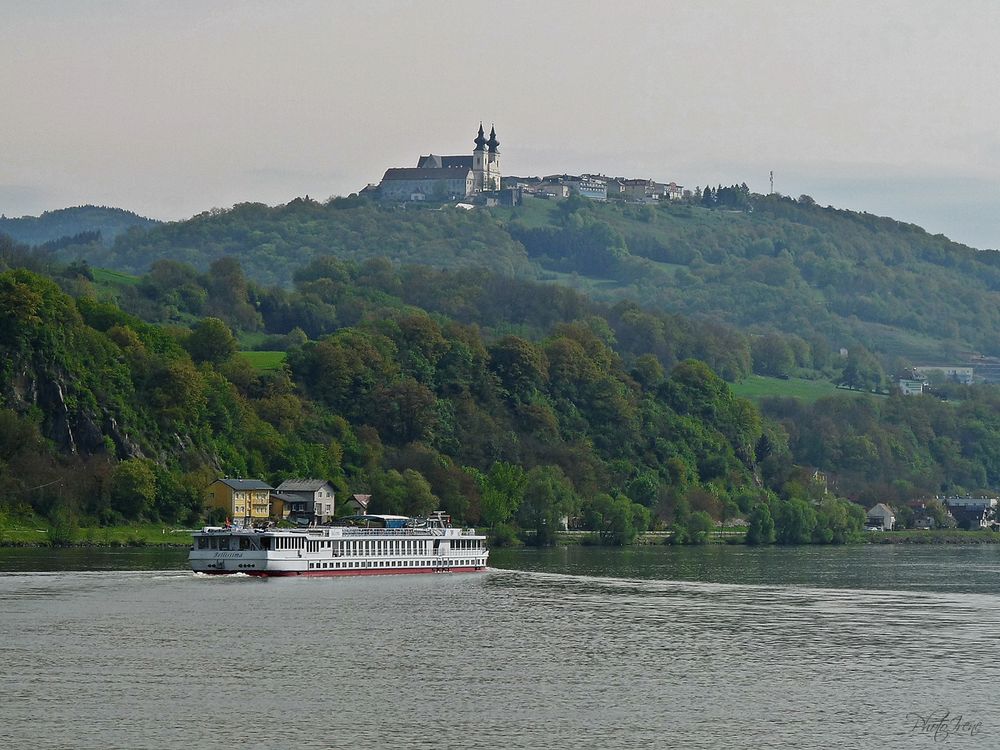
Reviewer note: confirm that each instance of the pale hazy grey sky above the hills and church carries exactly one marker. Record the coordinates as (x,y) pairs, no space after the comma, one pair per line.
(171,108)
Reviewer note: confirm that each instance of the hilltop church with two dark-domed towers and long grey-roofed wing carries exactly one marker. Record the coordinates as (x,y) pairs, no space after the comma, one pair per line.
(447,177)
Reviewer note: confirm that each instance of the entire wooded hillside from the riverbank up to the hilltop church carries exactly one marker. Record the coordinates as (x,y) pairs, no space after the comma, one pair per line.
(511,366)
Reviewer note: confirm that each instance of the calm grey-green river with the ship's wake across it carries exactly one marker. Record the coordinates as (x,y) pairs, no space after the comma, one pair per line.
(719,647)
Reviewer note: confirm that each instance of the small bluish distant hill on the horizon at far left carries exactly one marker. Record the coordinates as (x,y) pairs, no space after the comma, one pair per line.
(54,226)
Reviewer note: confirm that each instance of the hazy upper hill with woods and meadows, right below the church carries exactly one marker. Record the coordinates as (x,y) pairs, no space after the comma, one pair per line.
(826,277)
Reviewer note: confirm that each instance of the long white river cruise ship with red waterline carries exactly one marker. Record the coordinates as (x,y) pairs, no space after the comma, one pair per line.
(395,545)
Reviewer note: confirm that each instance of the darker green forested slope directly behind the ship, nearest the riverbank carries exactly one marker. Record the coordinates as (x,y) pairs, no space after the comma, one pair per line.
(109,417)
